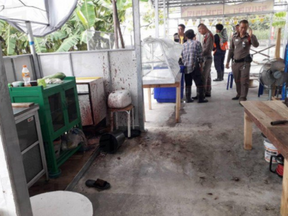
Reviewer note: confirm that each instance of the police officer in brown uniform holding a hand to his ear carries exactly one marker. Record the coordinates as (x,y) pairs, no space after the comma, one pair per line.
(239,52)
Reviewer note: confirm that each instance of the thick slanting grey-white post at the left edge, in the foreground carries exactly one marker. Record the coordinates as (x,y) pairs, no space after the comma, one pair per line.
(14,196)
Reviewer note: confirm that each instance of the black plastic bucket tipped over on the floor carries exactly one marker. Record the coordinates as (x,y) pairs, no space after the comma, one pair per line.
(110,142)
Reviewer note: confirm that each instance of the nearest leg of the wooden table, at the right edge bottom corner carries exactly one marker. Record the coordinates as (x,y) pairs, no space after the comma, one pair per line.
(284,199)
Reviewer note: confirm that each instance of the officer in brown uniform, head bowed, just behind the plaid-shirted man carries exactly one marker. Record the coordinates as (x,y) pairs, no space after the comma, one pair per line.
(207,58)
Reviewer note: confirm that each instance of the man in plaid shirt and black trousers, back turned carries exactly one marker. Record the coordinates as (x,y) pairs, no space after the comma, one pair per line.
(192,58)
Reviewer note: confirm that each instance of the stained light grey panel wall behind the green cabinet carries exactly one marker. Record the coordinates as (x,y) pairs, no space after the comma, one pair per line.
(117,67)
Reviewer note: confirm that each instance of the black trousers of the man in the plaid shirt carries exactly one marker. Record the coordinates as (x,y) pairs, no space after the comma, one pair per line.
(198,80)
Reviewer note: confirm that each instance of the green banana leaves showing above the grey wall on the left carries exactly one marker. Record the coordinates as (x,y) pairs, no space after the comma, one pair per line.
(89,15)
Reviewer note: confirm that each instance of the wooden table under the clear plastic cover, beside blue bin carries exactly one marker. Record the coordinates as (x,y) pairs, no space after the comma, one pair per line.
(178,95)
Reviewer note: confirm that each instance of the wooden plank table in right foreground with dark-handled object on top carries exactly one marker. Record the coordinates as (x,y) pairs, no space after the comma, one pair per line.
(262,113)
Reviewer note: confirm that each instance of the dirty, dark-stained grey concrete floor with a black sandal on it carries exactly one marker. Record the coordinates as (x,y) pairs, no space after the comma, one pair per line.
(196,167)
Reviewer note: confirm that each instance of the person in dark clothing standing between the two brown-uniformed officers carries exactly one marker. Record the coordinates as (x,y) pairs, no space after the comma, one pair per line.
(219,53)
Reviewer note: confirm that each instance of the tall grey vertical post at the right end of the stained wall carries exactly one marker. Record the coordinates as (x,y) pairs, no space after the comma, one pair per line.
(137,41)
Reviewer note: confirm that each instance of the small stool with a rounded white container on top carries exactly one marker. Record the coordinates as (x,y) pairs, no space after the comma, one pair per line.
(129,110)
